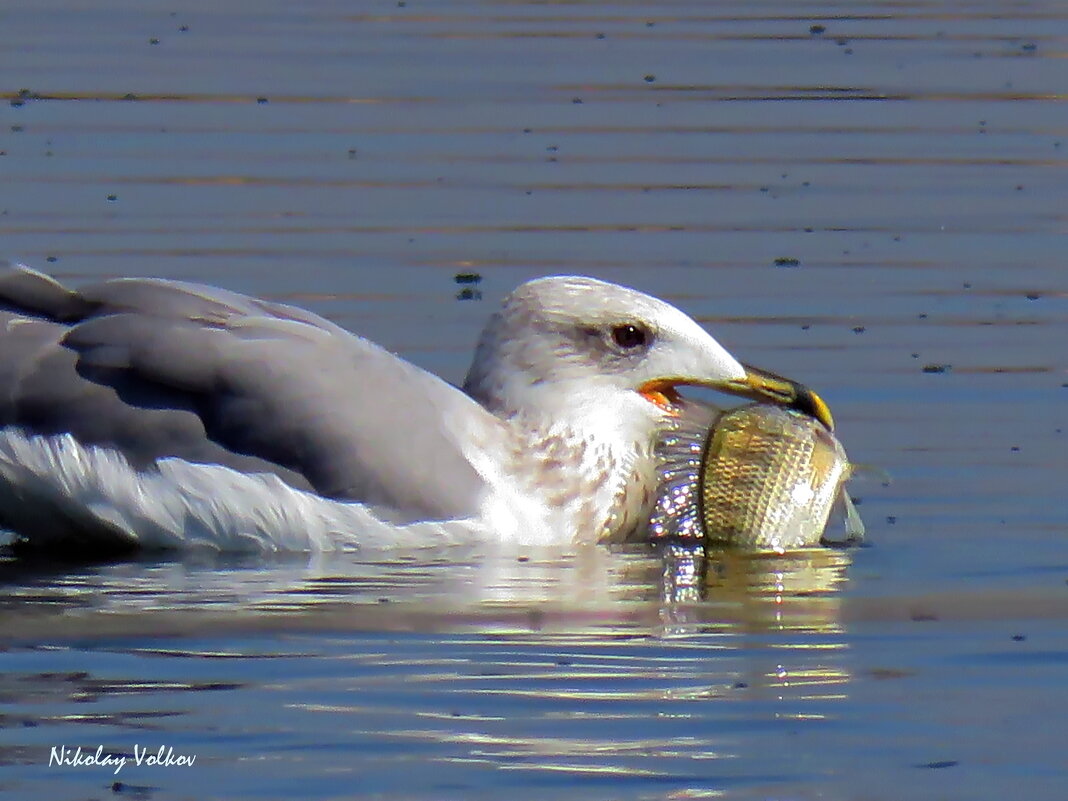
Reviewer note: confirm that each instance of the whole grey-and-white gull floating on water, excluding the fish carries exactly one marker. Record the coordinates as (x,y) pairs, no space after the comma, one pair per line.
(147,414)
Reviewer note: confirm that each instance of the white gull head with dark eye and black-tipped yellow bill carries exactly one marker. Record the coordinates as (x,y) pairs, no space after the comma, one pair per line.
(600,355)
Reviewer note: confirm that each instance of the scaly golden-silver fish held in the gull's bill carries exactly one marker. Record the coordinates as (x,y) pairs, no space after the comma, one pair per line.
(757,477)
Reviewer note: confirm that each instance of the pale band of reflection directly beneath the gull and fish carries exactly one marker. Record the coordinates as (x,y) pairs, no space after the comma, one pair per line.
(436,586)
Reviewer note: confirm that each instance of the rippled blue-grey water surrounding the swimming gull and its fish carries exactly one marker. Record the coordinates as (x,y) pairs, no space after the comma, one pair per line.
(868,197)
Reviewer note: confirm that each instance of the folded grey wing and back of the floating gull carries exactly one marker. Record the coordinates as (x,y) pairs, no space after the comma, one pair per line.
(159,369)
